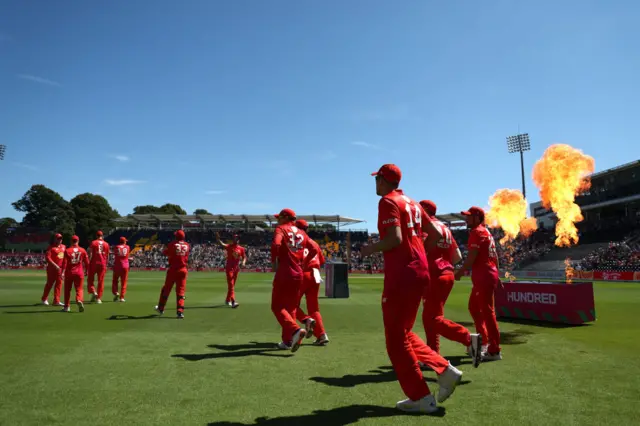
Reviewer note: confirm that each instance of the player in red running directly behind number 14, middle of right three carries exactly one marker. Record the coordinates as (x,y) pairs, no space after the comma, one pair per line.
(441,258)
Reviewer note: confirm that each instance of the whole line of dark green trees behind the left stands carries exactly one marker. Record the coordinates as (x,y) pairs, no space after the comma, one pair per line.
(83,215)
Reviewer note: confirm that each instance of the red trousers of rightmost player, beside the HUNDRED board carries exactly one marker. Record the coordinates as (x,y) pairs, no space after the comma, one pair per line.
(482,310)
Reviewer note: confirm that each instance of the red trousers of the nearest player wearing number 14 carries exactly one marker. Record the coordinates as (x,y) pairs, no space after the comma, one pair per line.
(400,305)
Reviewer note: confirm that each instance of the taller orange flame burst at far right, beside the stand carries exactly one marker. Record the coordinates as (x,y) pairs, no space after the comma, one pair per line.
(560,175)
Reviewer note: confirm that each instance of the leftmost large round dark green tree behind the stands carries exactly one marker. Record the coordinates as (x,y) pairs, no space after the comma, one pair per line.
(46,209)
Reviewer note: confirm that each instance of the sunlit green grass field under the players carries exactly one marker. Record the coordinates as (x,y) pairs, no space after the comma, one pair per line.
(119,364)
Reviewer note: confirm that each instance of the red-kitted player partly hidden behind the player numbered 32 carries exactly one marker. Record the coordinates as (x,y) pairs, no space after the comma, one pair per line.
(310,288)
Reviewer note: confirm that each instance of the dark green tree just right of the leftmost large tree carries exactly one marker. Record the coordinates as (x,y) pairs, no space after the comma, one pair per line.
(93,212)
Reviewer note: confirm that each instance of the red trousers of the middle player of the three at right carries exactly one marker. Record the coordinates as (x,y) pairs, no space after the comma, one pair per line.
(435,324)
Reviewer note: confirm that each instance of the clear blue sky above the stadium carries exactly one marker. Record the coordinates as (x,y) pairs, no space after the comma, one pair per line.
(251,106)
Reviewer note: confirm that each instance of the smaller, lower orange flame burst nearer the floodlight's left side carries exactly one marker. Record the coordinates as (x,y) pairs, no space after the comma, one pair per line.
(508,210)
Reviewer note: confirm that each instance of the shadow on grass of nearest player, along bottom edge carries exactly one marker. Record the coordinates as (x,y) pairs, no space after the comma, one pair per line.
(340,416)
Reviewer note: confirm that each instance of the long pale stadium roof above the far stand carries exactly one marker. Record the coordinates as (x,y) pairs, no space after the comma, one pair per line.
(174,219)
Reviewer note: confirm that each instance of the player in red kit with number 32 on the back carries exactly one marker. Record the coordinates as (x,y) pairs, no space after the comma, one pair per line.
(288,242)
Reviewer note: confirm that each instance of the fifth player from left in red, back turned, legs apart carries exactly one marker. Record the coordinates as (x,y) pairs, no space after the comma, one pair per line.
(178,253)
